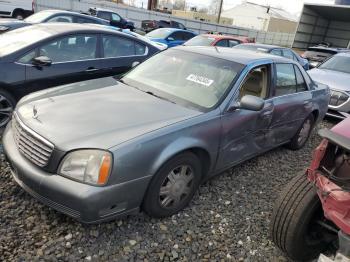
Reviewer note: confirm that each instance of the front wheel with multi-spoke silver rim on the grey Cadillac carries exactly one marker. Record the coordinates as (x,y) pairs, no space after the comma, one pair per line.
(154,203)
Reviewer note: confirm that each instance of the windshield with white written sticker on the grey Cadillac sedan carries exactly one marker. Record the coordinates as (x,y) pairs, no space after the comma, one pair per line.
(190,79)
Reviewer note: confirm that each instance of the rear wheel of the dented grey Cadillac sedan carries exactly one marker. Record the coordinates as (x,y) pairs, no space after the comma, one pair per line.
(298,141)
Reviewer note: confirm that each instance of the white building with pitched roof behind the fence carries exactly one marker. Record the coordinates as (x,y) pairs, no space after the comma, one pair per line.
(259,17)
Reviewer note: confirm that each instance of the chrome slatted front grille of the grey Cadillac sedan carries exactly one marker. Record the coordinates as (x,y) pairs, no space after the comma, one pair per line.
(35,148)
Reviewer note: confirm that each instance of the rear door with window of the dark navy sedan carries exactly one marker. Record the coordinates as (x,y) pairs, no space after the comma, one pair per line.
(119,53)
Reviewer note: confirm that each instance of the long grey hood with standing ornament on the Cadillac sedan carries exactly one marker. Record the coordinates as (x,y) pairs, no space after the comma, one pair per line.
(98,113)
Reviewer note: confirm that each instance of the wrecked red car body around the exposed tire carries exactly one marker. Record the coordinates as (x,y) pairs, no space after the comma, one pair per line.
(335,199)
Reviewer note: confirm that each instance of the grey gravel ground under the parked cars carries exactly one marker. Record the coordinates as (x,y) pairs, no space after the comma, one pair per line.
(227,220)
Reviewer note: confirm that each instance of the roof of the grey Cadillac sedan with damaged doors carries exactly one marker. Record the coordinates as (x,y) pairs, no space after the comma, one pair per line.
(235,55)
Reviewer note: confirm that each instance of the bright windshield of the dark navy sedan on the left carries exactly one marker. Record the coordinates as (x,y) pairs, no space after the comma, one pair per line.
(20,38)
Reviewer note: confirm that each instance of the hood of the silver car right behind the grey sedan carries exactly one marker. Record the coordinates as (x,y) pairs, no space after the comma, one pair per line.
(334,79)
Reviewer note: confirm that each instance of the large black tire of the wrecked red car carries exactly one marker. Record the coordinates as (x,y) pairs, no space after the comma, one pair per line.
(293,228)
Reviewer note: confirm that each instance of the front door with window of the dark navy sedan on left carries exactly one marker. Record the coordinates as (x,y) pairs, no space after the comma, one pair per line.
(74,58)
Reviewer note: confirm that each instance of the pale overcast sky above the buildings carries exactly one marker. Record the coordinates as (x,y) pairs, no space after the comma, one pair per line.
(292,6)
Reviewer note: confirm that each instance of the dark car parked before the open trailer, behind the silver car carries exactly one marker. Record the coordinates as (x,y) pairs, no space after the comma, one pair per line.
(317,54)
